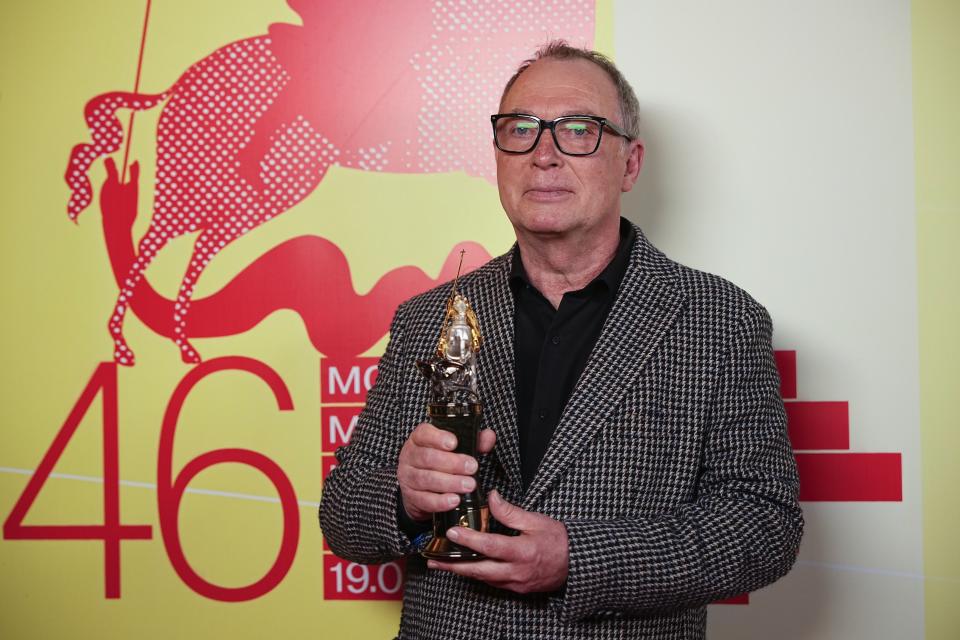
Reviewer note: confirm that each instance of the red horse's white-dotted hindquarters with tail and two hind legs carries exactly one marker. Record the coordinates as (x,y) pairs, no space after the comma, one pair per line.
(209,118)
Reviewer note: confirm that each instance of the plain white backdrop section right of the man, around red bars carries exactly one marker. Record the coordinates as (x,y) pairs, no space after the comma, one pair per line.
(780,155)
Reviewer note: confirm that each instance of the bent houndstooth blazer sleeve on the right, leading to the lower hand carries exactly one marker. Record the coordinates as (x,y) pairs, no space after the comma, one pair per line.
(741,532)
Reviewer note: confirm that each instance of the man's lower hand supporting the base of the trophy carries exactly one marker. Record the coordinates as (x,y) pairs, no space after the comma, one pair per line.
(536,560)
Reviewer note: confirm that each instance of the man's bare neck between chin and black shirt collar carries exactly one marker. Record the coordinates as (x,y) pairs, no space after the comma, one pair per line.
(558,264)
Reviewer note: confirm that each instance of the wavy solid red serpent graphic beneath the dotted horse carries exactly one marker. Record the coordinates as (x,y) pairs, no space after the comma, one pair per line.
(340,323)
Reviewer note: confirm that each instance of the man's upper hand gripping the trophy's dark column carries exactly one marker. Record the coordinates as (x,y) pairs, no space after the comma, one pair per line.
(431,475)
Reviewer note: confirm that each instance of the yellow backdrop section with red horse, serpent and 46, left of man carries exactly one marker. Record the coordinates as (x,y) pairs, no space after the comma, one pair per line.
(221,206)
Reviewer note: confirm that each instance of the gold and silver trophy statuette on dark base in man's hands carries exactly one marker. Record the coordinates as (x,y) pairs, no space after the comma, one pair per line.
(454,406)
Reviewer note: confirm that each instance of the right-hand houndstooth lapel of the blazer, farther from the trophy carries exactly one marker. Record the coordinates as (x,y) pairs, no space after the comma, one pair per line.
(647,305)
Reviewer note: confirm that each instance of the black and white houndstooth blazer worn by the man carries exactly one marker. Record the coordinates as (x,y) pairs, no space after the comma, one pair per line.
(670,466)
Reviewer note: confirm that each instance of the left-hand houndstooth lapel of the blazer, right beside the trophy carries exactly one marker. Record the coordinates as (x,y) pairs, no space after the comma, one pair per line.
(496,384)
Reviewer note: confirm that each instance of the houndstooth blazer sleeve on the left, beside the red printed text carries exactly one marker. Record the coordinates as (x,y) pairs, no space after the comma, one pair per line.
(359,505)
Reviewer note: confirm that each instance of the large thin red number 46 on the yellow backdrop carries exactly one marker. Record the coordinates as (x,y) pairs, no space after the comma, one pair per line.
(170,490)
